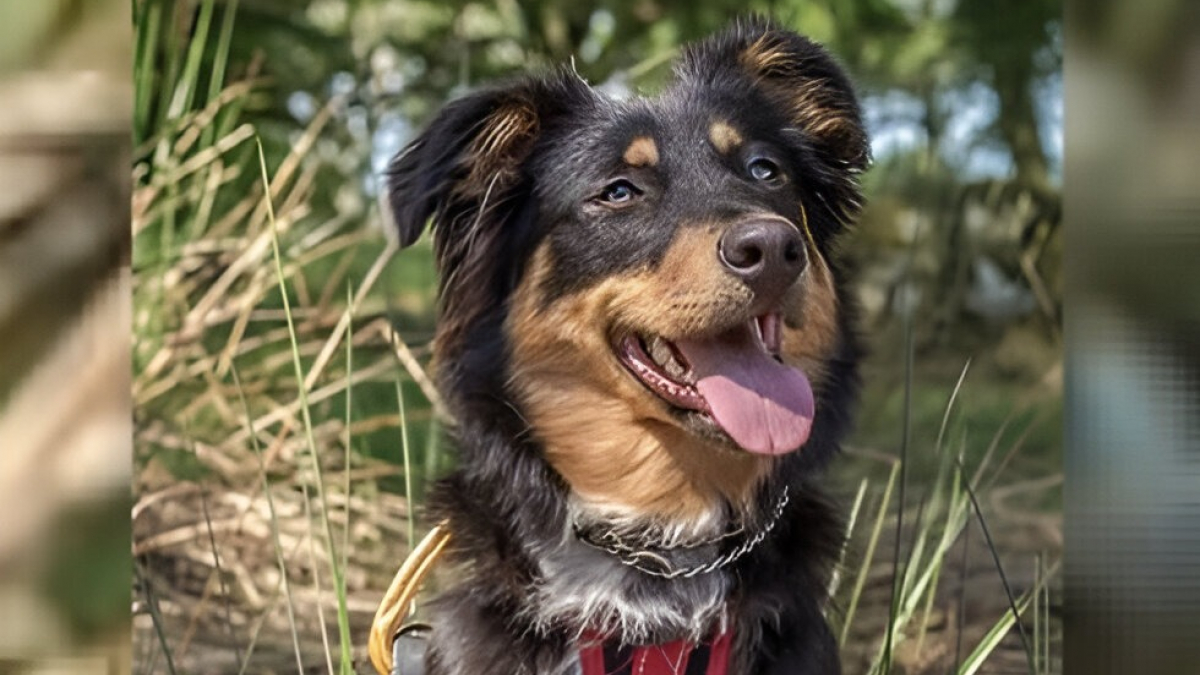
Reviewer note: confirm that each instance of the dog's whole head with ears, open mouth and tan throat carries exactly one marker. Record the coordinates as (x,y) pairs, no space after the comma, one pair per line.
(658,274)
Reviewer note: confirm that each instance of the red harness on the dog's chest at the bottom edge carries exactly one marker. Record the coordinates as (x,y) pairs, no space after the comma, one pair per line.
(673,659)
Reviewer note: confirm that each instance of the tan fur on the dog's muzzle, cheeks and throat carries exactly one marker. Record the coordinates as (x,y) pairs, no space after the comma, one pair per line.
(613,441)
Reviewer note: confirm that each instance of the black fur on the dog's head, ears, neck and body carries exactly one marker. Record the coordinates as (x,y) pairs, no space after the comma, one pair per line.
(506,505)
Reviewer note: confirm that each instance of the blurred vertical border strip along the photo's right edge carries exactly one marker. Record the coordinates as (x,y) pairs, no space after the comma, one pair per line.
(1132,494)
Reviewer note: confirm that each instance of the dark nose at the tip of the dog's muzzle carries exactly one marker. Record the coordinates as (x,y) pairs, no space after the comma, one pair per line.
(769,255)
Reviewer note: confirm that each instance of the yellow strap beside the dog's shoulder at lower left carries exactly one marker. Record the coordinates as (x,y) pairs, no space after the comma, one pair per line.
(398,602)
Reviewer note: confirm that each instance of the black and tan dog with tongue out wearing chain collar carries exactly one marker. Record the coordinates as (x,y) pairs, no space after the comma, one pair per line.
(646,339)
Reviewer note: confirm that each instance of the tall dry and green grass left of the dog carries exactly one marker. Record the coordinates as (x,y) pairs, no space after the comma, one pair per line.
(256,318)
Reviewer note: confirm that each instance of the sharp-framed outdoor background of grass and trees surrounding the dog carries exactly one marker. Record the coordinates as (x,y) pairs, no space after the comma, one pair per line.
(285,428)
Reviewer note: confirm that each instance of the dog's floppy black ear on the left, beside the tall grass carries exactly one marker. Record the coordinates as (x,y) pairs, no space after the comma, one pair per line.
(466,175)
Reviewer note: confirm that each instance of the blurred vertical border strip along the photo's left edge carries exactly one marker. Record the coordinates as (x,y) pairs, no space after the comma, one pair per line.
(65,411)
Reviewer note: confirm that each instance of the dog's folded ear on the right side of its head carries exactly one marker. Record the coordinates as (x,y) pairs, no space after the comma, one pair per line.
(801,81)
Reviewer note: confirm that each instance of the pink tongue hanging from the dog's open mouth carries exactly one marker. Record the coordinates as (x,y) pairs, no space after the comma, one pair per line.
(764,405)
